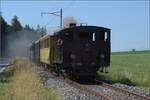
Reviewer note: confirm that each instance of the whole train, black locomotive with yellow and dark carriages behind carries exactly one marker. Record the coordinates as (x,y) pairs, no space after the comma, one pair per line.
(77,51)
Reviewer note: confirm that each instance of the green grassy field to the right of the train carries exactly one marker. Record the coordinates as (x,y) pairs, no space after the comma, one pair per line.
(132,68)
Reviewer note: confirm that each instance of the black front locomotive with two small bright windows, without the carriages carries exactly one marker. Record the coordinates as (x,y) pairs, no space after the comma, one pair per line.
(85,50)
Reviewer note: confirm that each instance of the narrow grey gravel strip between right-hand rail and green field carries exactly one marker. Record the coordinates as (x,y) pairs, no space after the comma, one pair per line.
(135,89)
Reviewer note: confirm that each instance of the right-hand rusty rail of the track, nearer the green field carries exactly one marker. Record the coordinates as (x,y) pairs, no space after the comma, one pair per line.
(125,91)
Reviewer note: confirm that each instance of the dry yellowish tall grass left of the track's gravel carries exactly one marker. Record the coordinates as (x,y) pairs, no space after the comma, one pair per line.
(22,82)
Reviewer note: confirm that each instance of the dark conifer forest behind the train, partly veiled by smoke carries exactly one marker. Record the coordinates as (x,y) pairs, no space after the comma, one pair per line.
(16,37)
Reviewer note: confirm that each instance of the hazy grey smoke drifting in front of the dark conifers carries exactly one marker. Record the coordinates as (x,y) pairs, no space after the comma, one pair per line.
(18,45)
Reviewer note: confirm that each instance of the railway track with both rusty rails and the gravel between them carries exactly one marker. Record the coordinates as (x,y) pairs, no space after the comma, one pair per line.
(121,94)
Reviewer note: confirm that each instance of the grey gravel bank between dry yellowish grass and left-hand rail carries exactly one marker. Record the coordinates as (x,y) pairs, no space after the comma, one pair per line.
(66,91)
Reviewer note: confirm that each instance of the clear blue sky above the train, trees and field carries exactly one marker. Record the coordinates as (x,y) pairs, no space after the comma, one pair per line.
(128,20)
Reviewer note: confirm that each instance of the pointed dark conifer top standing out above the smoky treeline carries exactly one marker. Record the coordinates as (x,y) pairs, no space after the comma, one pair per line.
(16,25)
